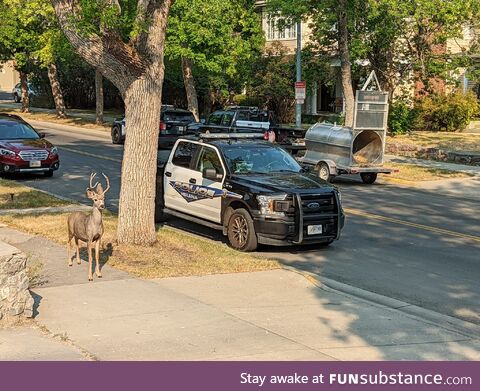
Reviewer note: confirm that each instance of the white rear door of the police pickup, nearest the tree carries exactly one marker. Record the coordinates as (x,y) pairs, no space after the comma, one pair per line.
(178,175)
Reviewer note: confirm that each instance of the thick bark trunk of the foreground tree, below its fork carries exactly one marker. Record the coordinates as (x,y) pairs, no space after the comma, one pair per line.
(137,196)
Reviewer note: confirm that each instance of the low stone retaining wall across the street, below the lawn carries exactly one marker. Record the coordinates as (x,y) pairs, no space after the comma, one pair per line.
(433,153)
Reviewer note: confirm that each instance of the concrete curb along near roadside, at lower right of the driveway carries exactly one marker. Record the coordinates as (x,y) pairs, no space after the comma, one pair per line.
(467,329)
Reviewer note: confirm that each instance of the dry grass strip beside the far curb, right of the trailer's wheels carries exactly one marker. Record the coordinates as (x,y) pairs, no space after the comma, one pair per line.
(410,172)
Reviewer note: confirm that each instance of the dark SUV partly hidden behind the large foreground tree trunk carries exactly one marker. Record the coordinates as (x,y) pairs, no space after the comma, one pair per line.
(173,124)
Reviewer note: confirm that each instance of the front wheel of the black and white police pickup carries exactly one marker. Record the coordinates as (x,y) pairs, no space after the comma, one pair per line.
(241,232)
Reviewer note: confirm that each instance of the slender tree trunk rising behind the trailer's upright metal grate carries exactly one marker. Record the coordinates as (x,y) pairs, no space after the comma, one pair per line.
(345,66)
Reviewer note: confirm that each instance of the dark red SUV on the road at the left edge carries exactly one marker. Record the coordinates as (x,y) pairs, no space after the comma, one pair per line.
(22,149)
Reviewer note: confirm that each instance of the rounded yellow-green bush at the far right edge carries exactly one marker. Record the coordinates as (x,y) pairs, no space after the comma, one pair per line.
(446,113)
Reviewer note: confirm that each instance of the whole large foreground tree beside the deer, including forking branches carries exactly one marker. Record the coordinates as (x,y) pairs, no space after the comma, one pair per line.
(125,42)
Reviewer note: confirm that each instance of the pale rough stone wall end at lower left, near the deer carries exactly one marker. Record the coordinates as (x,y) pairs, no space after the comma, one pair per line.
(15,298)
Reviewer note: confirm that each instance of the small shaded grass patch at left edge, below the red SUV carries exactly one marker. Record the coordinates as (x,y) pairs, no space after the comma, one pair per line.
(24,197)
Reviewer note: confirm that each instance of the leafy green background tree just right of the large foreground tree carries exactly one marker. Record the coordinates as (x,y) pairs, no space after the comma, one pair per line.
(214,39)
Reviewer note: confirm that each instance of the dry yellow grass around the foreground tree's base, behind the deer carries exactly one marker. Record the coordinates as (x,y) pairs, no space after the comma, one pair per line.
(174,254)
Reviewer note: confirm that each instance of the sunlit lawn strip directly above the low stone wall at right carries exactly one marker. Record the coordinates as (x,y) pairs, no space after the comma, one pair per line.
(442,140)
